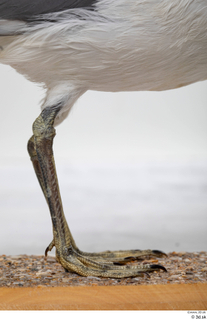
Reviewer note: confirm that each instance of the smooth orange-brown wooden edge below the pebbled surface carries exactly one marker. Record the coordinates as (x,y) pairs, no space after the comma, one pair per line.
(143,297)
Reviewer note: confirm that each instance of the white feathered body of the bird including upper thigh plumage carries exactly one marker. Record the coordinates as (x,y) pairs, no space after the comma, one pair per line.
(125,45)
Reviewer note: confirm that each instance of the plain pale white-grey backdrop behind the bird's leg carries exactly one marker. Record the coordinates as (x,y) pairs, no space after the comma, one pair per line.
(132,169)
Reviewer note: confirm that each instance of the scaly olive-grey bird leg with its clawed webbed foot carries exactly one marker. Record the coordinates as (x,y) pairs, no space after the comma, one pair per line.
(104,264)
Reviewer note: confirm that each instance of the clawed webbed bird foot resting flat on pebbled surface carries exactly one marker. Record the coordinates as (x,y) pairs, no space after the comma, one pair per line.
(106,264)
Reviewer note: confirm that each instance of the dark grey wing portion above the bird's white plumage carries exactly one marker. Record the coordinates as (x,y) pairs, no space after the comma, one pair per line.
(26,10)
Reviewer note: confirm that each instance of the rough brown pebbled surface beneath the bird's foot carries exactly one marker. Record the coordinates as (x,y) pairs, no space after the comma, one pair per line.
(33,271)
